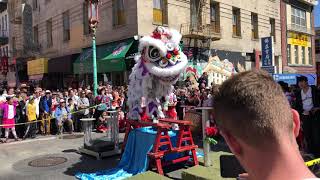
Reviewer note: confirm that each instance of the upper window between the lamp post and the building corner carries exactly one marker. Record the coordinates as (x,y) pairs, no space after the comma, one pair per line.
(119,15)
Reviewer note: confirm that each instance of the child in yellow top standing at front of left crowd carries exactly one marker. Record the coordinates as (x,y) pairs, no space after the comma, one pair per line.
(31,117)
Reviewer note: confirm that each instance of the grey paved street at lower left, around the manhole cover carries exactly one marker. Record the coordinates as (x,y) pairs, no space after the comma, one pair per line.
(14,158)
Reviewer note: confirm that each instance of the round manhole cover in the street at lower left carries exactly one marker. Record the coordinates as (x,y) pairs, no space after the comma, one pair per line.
(47,161)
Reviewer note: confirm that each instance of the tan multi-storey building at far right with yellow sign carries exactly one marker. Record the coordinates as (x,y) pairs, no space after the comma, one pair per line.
(297,24)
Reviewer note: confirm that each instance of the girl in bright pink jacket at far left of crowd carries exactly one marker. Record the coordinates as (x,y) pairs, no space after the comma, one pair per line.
(9,112)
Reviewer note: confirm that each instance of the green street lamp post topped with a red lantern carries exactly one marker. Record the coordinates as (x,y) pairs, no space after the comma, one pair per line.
(93,14)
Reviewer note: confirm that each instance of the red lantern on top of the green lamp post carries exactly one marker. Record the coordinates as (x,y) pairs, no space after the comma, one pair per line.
(93,13)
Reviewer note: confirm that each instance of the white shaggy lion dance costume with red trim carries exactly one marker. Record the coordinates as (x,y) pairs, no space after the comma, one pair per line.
(157,68)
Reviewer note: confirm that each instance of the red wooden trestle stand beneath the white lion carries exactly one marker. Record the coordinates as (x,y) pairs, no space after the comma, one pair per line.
(163,145)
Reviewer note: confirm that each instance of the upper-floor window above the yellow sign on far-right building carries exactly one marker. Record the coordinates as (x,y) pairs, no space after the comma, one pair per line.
(298,18)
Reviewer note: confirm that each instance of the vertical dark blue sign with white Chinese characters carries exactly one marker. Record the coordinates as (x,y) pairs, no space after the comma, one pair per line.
(267,51)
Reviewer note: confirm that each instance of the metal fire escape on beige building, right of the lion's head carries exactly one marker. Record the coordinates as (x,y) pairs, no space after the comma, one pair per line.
(201,30)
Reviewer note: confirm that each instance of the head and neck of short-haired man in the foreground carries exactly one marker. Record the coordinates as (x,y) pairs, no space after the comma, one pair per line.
(255,118)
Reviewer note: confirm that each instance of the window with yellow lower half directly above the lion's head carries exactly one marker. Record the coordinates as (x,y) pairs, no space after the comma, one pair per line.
(160,12)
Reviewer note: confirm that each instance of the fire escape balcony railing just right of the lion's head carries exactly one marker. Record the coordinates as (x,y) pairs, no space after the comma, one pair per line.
(201,31)
